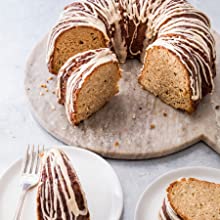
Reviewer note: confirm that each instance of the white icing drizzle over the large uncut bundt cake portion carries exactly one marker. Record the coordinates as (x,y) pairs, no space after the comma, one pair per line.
(173,24)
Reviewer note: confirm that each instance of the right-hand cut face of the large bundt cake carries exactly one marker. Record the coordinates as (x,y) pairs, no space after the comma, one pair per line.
(167,78)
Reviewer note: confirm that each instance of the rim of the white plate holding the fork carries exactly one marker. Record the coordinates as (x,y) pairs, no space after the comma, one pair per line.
(118,214)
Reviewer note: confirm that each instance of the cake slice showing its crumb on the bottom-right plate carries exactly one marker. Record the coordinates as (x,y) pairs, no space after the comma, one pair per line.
(191,199)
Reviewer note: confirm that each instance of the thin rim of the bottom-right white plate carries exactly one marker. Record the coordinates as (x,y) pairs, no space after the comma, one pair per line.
(140,198)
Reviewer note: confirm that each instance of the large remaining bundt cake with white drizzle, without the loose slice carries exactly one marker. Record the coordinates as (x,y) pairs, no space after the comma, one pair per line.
(170,37)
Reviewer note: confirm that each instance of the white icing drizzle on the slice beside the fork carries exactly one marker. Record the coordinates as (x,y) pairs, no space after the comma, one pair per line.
(58,171)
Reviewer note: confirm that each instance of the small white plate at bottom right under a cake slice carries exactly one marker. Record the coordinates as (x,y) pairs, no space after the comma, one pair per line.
(151,200)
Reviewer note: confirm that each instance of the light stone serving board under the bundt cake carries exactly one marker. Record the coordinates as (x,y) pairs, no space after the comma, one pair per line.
(123,128)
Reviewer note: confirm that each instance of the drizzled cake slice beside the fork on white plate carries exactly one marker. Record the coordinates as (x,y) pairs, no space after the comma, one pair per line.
(60,195)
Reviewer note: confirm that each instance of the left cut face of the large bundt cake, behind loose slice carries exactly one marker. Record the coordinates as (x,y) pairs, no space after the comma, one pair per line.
(75,40)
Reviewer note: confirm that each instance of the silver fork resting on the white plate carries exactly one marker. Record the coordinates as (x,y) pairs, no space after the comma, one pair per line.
(29,175)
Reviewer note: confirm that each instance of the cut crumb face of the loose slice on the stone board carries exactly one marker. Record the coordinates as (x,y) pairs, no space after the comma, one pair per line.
(109,90)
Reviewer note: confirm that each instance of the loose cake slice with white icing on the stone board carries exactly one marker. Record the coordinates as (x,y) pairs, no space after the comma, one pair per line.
(86,82)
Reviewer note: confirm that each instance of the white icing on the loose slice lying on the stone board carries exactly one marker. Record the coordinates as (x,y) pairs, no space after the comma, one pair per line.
(92,59)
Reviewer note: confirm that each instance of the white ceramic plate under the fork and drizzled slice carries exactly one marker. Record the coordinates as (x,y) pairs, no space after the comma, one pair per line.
(99,181)
